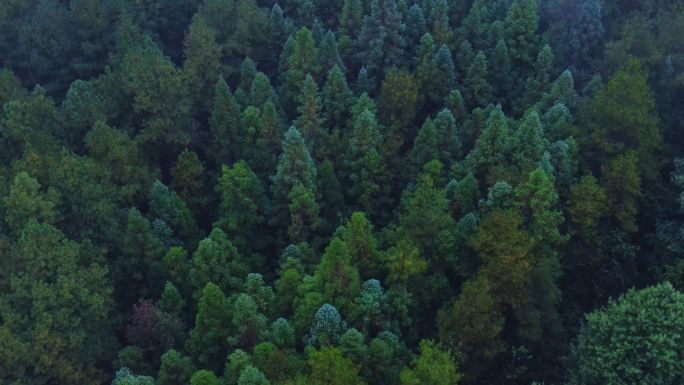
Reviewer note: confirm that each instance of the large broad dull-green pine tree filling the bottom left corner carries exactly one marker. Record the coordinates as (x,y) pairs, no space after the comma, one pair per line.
(56,310)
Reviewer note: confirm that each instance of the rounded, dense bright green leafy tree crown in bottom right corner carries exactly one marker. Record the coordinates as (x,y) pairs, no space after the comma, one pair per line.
(636,338)
